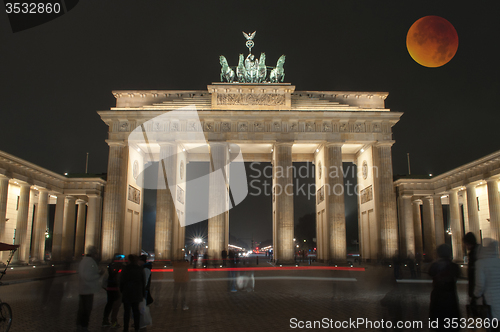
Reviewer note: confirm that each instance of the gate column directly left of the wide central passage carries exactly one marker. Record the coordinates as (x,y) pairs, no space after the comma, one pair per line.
(218,199)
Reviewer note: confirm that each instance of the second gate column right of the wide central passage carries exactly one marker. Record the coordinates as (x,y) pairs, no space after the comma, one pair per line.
(334,197)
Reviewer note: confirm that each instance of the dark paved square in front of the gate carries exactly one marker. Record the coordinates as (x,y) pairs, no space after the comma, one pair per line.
(279,297)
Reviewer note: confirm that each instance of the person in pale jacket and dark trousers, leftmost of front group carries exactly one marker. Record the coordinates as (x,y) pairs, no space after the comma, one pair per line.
(88,284)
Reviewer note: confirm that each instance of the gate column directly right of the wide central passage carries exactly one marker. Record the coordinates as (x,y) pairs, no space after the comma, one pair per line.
(283,188)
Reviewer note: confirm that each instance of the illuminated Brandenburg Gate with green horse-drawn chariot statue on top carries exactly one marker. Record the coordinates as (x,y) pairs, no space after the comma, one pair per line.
(257,119)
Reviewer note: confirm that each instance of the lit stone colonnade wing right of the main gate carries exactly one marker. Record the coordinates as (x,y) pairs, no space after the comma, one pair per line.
(470,194)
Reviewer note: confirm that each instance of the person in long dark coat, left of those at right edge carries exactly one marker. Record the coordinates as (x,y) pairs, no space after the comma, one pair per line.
(444,299)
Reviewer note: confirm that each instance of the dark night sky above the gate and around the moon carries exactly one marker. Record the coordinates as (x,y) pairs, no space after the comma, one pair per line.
(56,76)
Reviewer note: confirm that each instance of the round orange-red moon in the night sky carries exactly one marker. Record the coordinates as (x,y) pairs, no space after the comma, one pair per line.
(432,41)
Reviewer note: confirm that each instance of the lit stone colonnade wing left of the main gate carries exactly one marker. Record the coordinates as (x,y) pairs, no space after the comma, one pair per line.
(26,193)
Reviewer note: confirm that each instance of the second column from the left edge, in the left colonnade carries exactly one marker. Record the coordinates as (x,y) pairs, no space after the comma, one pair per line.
(22,238)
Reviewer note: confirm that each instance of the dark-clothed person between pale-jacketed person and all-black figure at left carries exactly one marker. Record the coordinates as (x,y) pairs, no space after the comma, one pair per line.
(111,284)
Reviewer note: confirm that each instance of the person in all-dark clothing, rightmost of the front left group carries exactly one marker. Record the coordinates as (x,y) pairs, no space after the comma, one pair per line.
(133,288)
